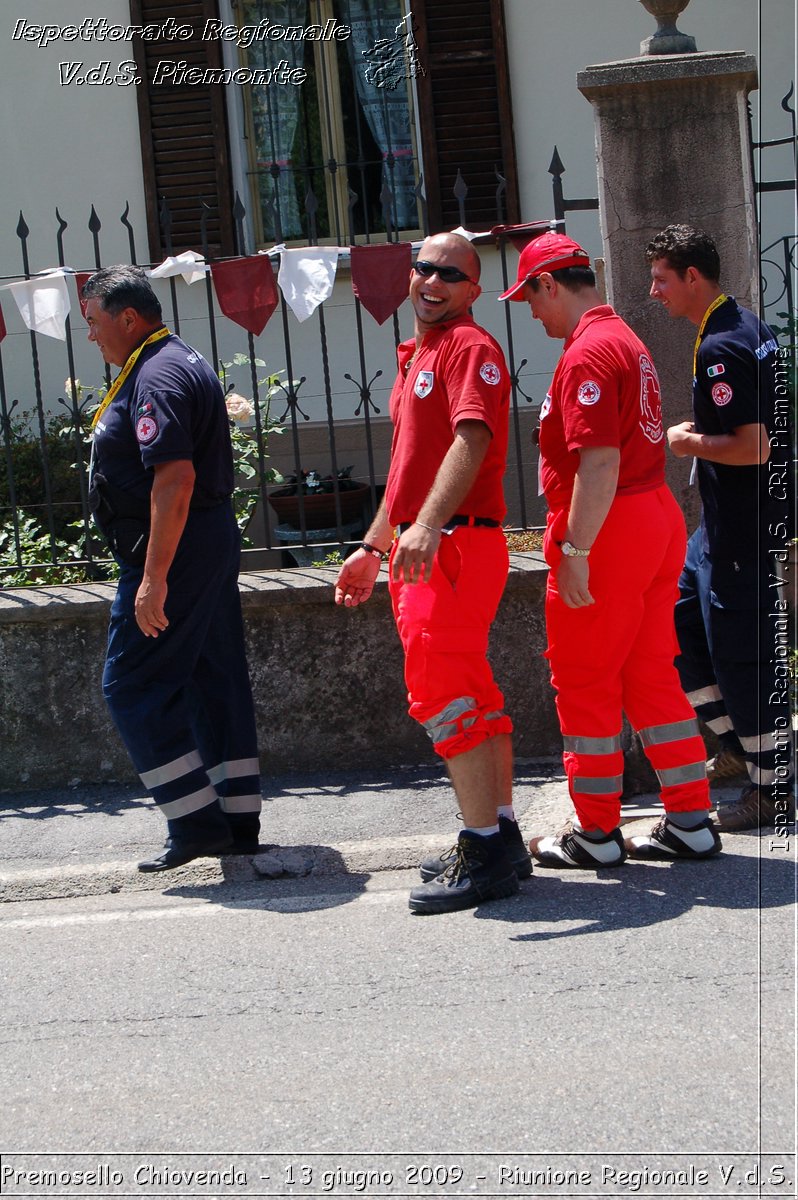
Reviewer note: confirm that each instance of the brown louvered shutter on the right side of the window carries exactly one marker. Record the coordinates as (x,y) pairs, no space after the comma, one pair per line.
(465,111)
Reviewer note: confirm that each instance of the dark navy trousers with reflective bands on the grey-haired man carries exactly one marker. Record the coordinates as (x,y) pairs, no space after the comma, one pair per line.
(183,701)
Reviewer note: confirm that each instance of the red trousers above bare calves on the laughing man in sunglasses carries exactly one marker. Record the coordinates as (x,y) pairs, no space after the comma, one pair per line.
(445,627)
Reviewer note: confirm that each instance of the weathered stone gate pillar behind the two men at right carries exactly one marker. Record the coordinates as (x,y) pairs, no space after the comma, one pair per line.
(674,146)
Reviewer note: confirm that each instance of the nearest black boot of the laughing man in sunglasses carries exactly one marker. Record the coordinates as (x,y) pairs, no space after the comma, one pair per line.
(481,871)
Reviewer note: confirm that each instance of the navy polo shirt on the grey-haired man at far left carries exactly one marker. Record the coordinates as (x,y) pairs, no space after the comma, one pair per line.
(171,407)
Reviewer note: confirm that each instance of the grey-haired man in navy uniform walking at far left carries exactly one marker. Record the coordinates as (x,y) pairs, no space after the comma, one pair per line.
(176,677)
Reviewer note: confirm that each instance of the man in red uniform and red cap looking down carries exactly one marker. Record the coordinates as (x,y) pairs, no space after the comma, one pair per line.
(615,543)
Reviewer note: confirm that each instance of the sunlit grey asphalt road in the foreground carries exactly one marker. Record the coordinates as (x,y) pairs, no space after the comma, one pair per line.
(639,1019)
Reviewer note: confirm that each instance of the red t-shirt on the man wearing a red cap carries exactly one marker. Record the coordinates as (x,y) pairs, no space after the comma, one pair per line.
(605,393)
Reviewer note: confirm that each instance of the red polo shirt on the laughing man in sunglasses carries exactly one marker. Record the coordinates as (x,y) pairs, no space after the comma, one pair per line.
(458,374)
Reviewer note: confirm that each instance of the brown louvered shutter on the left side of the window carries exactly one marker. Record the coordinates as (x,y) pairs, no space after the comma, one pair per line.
(184,134)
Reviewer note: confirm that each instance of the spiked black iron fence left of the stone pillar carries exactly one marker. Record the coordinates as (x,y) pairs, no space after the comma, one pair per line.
(46,529)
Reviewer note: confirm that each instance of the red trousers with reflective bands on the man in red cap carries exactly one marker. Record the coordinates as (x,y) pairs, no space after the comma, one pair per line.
(617,656)
